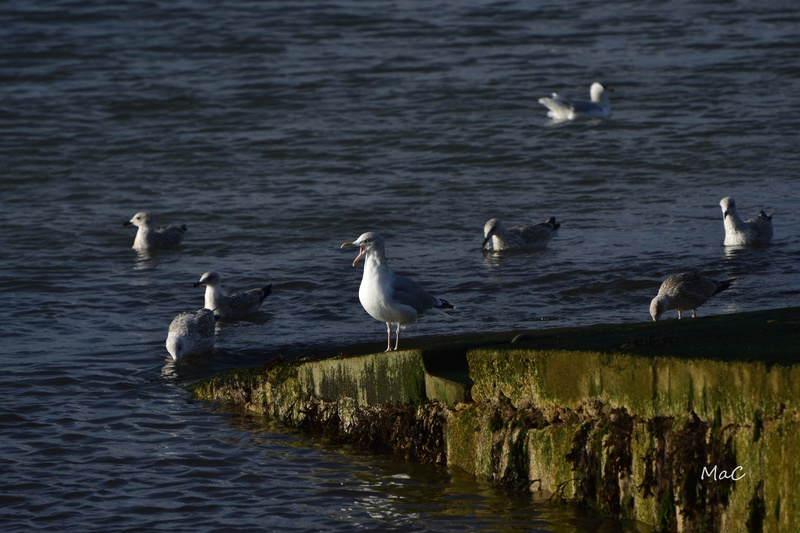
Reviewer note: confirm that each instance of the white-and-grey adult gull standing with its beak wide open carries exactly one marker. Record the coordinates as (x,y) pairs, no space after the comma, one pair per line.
(386,296)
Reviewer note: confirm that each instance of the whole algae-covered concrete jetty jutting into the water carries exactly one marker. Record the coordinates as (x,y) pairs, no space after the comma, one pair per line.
(630,420)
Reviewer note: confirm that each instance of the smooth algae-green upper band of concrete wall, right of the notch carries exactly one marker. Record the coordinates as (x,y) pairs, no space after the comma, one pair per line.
(646,386)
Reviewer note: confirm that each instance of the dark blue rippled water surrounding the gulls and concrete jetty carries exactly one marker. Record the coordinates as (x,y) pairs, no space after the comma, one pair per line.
(278,130)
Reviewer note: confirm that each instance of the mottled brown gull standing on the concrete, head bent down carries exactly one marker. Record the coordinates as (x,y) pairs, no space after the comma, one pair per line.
(685,291)
